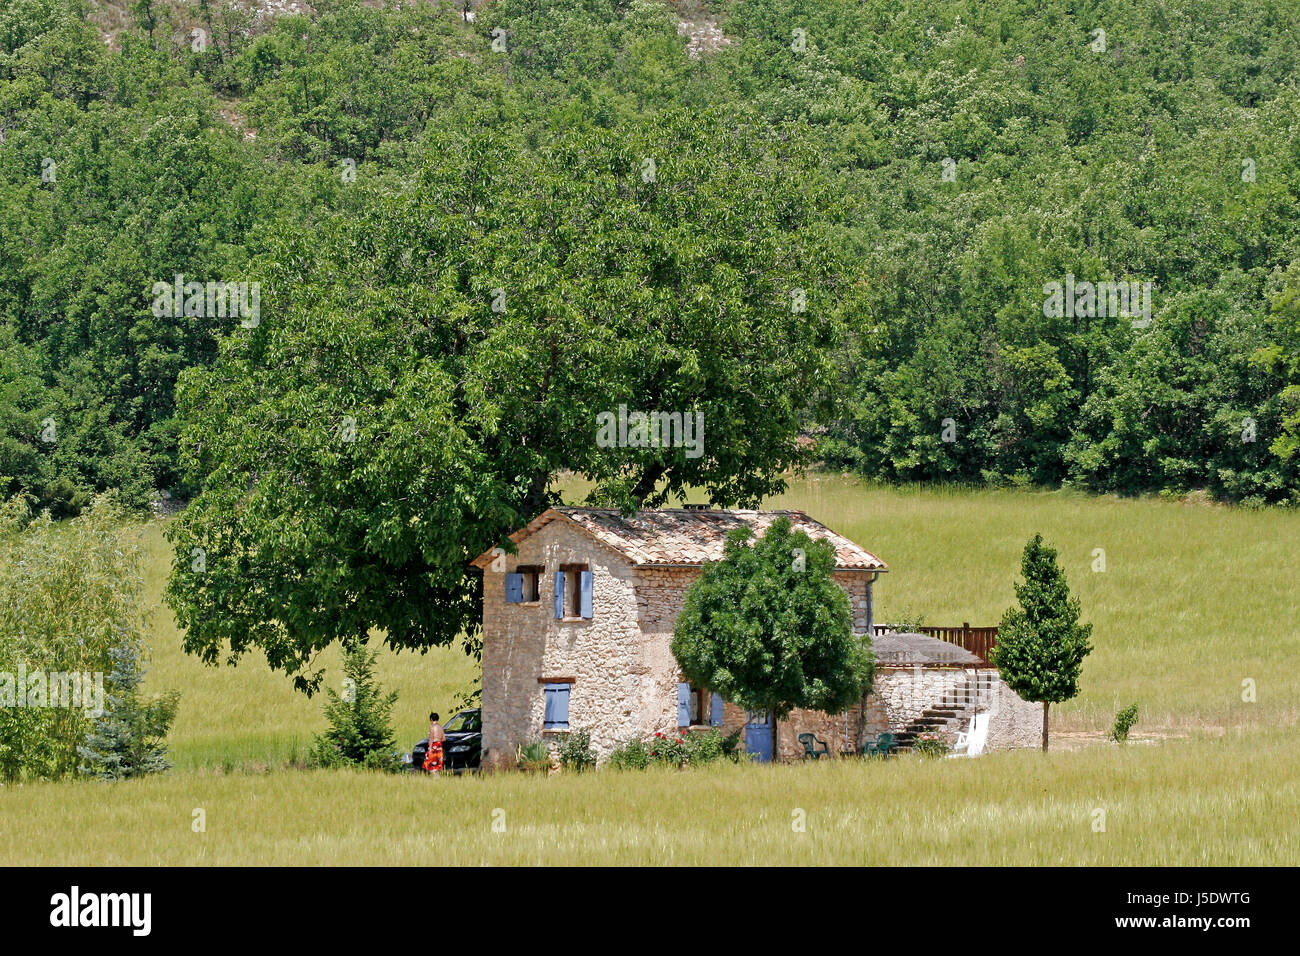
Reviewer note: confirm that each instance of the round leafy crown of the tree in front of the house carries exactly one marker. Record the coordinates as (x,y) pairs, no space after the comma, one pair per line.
(769,629)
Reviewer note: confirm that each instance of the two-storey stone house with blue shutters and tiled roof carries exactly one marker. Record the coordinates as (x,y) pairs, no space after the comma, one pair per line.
(578,628)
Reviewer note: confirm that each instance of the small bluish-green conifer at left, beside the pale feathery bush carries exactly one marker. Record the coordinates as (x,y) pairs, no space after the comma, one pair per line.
(128,738)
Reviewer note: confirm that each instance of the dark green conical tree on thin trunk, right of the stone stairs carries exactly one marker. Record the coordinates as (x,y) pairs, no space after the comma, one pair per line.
(1041,644)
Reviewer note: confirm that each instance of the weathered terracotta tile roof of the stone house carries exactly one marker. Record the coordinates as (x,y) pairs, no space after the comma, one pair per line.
(687,538)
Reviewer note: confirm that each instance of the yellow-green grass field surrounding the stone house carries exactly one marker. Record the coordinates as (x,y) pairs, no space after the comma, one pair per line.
(1194,602)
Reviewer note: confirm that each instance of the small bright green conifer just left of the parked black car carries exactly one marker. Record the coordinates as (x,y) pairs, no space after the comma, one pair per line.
(359,730)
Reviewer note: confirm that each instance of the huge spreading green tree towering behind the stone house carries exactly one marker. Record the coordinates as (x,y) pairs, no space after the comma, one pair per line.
(428,362)
